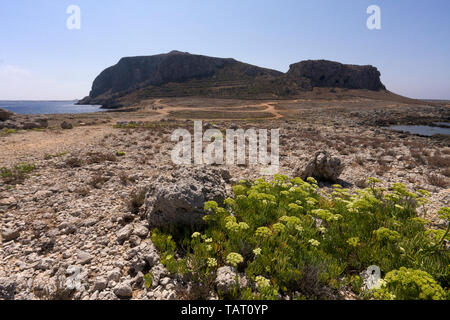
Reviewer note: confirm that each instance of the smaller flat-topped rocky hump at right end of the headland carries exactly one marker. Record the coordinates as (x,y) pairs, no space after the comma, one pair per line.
(323,73)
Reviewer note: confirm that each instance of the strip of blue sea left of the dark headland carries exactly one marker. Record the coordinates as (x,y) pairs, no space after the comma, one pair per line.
(47,107)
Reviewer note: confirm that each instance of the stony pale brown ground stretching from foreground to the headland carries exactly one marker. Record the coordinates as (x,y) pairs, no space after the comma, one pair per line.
(77,228)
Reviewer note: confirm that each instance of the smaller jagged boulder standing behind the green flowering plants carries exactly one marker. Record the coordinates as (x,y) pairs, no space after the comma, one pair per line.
(323,167)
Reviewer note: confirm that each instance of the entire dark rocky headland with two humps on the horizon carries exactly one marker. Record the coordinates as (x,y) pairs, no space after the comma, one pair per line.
(178,74)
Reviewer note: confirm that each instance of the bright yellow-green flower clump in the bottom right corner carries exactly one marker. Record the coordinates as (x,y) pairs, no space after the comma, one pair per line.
(409,284)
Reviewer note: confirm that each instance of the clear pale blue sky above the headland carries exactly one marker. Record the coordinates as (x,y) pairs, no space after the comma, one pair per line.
(40,58)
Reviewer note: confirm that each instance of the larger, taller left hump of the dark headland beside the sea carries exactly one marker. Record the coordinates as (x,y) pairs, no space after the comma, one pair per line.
(173,74)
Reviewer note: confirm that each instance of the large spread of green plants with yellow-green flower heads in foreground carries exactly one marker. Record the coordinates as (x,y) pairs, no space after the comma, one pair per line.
(290,239)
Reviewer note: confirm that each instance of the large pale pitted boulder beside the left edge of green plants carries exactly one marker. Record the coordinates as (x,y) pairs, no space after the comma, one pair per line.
(178,200)
